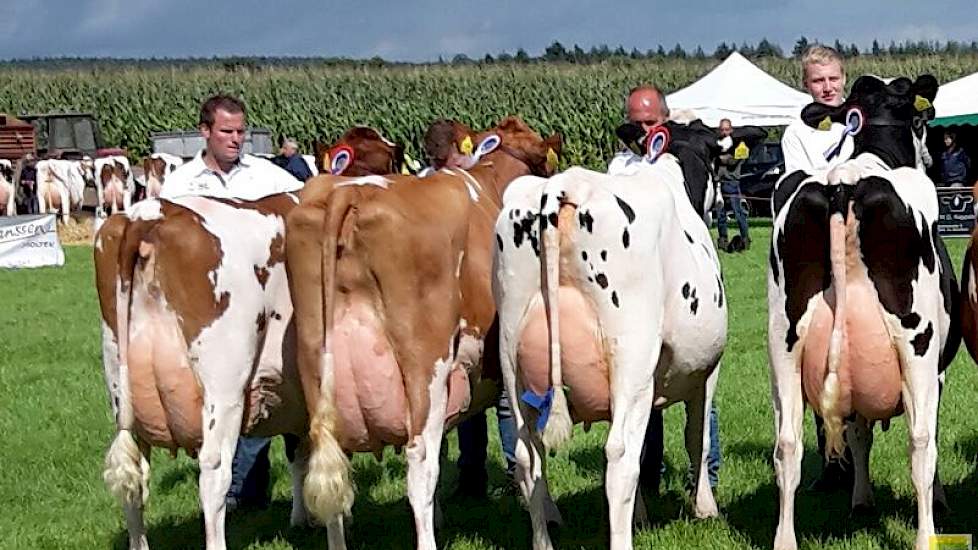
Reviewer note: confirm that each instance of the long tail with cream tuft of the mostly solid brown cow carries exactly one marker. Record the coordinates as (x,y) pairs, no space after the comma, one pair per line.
(328,489)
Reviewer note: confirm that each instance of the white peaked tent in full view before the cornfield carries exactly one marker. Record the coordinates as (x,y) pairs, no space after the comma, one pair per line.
(739,90)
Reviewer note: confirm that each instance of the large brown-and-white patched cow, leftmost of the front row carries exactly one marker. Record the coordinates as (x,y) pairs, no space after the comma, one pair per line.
(174,381)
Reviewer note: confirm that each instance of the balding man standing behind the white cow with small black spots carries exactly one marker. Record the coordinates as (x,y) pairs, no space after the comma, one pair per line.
(646,105)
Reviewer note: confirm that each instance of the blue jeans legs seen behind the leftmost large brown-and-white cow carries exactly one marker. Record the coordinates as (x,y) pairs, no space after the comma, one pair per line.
(250,469)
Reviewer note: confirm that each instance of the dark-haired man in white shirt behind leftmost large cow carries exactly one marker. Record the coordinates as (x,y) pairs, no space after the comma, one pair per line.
(220,169)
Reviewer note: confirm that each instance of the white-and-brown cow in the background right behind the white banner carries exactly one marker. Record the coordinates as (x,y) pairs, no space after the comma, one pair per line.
(61,185)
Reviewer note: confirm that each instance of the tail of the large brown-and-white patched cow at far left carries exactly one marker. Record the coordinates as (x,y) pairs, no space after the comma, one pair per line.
(122,473)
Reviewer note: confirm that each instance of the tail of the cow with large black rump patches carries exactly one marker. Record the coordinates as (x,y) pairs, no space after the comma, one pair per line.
(834,442)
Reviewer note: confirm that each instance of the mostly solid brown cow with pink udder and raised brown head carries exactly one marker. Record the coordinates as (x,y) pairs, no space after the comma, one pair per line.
(391,281)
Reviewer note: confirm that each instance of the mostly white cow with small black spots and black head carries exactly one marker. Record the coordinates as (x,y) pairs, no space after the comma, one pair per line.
(611,303)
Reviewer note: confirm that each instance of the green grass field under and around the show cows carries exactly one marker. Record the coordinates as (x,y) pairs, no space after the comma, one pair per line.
(55,421)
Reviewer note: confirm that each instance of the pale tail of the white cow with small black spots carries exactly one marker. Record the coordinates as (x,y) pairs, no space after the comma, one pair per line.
(559,424)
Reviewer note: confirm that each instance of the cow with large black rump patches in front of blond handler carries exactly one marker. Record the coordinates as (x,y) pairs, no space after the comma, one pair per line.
(862,301)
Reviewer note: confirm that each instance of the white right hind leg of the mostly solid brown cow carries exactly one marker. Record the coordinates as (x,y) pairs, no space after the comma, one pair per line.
(422,456)
